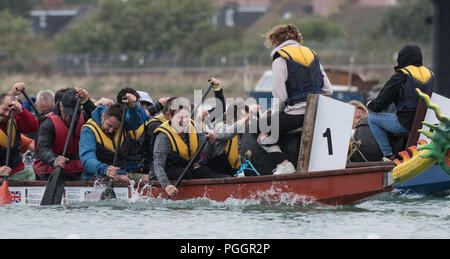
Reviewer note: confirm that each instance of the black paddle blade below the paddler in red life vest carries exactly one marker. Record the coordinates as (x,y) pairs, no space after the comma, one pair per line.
(55,188)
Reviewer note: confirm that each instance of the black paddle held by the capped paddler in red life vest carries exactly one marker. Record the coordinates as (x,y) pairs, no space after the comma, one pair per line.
(55,187)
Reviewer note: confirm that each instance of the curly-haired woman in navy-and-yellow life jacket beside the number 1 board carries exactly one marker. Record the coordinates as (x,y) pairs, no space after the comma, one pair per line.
(296,72)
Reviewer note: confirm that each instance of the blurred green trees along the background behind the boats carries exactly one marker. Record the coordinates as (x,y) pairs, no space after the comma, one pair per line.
(182,28)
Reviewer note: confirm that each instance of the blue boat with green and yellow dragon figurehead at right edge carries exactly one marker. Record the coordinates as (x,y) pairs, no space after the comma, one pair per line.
(427,170)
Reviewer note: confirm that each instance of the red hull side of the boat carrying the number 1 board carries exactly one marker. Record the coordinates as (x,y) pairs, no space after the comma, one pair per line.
(336,187)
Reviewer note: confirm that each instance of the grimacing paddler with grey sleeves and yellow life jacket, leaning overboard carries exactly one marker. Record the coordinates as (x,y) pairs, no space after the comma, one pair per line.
(176,142)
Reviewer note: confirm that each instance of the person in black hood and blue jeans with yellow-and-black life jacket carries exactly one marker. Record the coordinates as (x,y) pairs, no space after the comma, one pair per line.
(410,74)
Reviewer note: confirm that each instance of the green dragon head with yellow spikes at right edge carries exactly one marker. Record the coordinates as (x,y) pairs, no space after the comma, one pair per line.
(439,148)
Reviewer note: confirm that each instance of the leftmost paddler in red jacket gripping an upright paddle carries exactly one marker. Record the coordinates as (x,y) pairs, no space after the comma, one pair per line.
(24,122)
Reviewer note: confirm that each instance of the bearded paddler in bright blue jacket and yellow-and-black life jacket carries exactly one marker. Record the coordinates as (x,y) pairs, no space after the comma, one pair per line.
(99,138)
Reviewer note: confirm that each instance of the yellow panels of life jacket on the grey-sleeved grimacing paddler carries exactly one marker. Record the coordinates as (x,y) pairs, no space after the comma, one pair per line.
(178,145)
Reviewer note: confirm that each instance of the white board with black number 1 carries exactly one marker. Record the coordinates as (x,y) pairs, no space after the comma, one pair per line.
(332,132)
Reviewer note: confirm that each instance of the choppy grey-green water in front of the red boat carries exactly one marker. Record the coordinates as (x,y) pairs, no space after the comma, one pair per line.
(386,216)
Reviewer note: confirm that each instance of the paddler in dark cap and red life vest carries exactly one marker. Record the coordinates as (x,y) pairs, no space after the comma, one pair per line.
(52,136)
